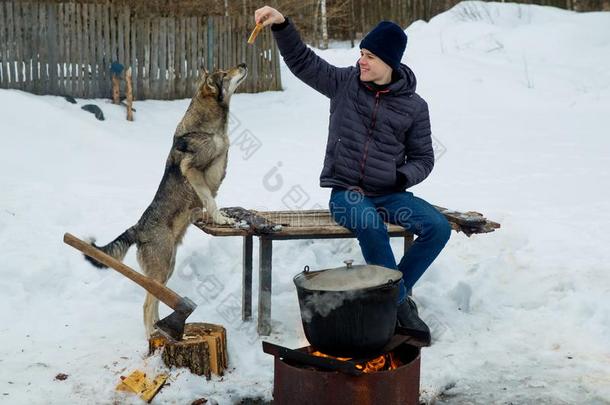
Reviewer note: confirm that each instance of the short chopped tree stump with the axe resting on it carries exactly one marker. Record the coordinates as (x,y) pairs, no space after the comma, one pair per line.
(203,349)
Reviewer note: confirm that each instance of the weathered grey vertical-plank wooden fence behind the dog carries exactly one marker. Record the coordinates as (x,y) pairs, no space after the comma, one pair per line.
(66,48)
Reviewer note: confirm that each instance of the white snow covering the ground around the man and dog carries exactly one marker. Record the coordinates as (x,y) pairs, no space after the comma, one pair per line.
(520,105)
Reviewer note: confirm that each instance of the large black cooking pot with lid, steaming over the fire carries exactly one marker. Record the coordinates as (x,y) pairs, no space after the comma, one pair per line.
(348,311)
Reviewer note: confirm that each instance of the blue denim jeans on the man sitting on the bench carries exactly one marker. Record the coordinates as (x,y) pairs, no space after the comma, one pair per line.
(365,217)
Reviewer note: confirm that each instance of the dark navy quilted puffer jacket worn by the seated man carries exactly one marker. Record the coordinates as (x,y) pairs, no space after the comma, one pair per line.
(374,137)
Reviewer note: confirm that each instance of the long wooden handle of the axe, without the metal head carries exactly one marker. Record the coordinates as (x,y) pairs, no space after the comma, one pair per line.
(157,289)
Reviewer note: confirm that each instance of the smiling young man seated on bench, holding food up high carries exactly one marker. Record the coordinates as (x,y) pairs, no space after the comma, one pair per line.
(379,144)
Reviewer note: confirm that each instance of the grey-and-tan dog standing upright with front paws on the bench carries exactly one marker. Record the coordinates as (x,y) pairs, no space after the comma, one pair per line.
(195,168)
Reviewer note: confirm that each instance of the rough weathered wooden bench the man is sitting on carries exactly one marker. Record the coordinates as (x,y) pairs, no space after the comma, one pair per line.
(306,224)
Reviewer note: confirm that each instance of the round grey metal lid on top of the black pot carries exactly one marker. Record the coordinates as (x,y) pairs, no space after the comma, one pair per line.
(348,277)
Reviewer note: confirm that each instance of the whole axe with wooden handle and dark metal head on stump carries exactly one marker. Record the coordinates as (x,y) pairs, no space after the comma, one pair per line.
(171,326)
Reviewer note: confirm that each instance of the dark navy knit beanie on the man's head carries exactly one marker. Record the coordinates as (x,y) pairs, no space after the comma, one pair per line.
(387,41)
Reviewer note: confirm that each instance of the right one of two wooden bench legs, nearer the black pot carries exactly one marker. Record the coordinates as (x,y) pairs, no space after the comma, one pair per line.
(264,287)
